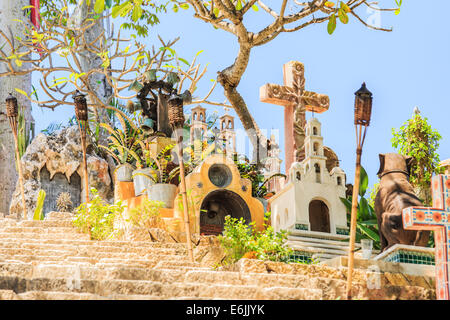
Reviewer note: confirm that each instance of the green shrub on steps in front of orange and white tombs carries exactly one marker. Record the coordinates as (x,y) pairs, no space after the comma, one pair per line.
(239,239)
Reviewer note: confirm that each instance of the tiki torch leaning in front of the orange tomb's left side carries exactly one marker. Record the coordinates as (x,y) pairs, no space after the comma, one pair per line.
(176,119)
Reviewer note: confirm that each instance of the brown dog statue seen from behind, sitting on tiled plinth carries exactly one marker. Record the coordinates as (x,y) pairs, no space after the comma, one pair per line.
(394,195)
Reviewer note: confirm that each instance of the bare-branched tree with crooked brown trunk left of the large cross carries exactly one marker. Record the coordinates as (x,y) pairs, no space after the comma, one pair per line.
(287,16)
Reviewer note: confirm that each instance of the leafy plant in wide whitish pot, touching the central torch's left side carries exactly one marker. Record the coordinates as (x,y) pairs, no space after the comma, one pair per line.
(162,189)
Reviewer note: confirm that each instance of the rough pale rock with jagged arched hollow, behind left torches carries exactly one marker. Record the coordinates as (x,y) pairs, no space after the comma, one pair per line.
(60,152)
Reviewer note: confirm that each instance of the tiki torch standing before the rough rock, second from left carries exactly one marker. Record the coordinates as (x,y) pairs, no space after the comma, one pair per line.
(81,113)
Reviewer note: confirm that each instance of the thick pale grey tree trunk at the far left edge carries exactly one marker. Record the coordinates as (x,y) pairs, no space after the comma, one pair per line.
(9,11)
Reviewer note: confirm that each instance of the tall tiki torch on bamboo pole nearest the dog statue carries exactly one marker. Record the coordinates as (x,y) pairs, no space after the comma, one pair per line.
(363,110)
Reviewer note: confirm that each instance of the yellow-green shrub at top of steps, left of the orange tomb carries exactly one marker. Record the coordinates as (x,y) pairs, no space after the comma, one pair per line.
(97,217)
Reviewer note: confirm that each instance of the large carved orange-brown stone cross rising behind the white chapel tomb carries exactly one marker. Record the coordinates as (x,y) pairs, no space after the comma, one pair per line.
(296,101)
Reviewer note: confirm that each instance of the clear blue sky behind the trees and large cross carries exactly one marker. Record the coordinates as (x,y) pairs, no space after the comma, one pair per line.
(404,68)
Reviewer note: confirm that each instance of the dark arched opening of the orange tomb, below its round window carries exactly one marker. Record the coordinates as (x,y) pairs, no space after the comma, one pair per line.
(216,206)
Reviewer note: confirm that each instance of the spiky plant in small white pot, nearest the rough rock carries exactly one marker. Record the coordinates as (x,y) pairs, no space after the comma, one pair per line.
(123,148)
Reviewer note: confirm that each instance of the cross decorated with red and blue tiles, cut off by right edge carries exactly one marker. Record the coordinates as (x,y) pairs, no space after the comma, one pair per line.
(436,219)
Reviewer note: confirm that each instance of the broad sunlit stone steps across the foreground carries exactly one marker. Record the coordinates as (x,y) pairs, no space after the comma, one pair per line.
(50,260)
